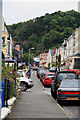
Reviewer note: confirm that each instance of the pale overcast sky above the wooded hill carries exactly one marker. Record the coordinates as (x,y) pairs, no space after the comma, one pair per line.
(15,11)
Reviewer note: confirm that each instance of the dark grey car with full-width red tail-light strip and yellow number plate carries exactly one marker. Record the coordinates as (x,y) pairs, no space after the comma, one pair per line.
(68,90)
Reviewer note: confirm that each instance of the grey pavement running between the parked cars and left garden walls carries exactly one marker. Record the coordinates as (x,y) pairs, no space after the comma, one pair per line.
(35,103)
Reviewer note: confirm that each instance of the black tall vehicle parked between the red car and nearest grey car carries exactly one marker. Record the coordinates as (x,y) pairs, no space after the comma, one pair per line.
(62,75)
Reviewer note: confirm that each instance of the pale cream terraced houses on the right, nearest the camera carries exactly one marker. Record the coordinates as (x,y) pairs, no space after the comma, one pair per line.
(70,51)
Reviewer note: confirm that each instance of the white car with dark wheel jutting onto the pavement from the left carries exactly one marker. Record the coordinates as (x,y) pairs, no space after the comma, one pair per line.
(25,83)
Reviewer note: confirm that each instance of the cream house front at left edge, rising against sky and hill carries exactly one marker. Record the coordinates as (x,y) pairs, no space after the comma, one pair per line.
(6,43)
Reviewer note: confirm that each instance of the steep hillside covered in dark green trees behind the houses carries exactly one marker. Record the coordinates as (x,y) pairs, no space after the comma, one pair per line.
(45,32)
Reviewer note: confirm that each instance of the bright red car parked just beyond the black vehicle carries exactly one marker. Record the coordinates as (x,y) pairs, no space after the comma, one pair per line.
(47,78)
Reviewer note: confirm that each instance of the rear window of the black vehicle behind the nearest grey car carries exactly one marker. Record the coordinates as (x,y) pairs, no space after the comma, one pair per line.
(62,76)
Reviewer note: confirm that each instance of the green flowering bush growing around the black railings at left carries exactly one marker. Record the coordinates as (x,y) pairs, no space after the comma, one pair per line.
(12,74)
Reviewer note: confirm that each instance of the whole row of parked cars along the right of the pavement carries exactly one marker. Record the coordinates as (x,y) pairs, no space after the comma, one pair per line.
(64,84)
